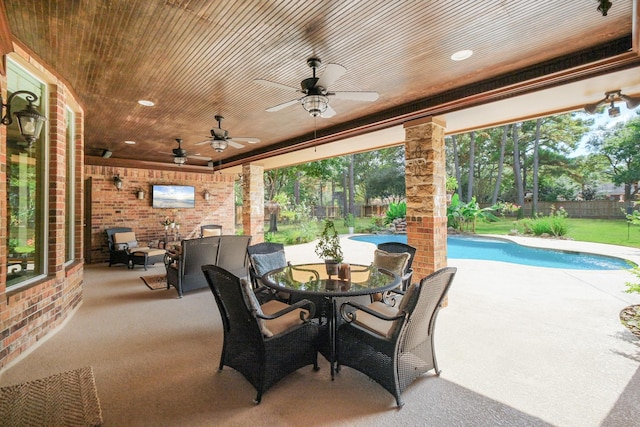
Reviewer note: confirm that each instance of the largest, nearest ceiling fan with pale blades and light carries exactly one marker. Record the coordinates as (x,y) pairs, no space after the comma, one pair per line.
(316,90)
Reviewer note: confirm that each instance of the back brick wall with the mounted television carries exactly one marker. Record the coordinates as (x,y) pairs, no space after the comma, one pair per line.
(113,208)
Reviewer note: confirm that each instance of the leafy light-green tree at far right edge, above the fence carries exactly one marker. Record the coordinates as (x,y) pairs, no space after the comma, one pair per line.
(619,145)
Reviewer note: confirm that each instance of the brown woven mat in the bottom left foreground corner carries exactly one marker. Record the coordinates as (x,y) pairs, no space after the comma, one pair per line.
(65,399)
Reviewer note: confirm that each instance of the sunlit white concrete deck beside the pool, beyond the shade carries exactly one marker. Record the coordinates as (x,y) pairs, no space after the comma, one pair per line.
(547,342)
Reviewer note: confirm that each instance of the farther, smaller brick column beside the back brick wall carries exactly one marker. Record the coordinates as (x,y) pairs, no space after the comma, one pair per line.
(253,202)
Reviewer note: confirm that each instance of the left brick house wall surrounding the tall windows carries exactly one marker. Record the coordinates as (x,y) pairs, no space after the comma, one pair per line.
(30,312)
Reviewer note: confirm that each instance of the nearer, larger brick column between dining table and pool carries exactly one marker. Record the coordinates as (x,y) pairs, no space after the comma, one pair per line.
(426,197)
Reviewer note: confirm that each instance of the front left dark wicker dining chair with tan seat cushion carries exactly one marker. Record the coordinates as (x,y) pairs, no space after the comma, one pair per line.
(267,342)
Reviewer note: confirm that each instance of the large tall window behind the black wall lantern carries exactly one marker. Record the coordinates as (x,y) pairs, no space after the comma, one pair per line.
(26,187)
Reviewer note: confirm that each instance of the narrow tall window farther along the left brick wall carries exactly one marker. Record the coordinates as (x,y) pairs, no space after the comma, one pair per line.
(70,188)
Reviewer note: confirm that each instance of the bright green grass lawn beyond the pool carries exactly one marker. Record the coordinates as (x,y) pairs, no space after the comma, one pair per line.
(615,232)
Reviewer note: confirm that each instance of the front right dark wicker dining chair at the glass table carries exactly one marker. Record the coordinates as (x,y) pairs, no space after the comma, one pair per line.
(394,346)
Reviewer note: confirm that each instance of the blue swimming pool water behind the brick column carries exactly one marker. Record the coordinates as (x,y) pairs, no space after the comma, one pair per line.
(484,248)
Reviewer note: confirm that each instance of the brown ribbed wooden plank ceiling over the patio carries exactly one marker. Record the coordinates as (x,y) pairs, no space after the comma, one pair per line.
(196,59)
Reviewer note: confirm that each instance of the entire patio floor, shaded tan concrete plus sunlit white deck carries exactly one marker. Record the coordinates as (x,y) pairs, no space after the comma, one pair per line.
(517,345)
